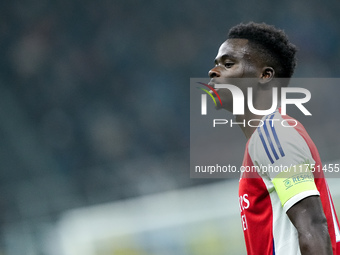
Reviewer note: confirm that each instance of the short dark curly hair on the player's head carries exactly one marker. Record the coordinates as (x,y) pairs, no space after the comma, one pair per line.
(272,44)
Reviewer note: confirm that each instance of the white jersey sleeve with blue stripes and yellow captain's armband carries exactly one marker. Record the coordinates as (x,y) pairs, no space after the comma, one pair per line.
(283,156)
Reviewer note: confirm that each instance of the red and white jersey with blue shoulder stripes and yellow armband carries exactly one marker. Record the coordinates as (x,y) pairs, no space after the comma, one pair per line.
(265,195)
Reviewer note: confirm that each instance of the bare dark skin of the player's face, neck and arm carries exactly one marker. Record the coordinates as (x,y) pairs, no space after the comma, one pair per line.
(236,59)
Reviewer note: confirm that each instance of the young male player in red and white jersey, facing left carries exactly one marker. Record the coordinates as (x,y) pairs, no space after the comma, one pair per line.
(282,212)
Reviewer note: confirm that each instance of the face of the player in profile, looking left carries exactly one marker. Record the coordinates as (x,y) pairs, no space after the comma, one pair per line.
(234,60)
